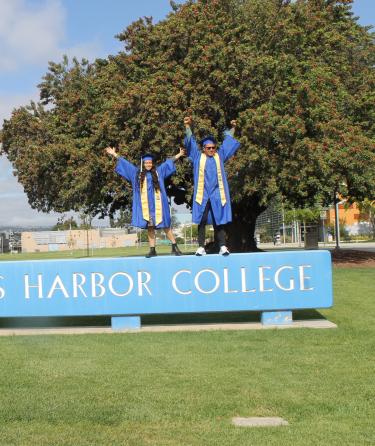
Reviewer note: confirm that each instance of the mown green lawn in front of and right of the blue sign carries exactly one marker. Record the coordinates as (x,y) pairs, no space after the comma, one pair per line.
(184,388)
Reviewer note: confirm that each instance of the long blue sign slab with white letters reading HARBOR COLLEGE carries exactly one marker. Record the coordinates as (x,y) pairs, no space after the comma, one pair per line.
(271,281)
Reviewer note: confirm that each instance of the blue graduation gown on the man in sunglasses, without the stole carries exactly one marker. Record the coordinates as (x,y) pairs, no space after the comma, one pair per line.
(221,214)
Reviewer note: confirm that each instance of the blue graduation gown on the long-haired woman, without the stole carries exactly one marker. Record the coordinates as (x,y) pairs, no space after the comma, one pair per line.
(131,173)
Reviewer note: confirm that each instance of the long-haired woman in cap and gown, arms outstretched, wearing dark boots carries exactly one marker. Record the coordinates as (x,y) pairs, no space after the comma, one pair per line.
(150,202)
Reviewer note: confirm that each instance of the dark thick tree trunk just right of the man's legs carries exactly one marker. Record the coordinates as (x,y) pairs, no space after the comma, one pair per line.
(241,231)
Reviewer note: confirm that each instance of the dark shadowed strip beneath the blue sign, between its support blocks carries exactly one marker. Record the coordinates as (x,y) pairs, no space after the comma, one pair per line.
(155,319)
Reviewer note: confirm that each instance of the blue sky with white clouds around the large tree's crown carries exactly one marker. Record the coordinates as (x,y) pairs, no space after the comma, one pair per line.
(33,32)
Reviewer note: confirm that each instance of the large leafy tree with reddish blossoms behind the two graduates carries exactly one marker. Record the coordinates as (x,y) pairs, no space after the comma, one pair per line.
(298,77)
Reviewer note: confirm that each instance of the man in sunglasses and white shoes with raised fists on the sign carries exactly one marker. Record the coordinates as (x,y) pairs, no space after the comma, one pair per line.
(211,199)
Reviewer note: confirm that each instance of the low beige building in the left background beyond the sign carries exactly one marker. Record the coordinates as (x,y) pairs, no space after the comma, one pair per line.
(45,241)
